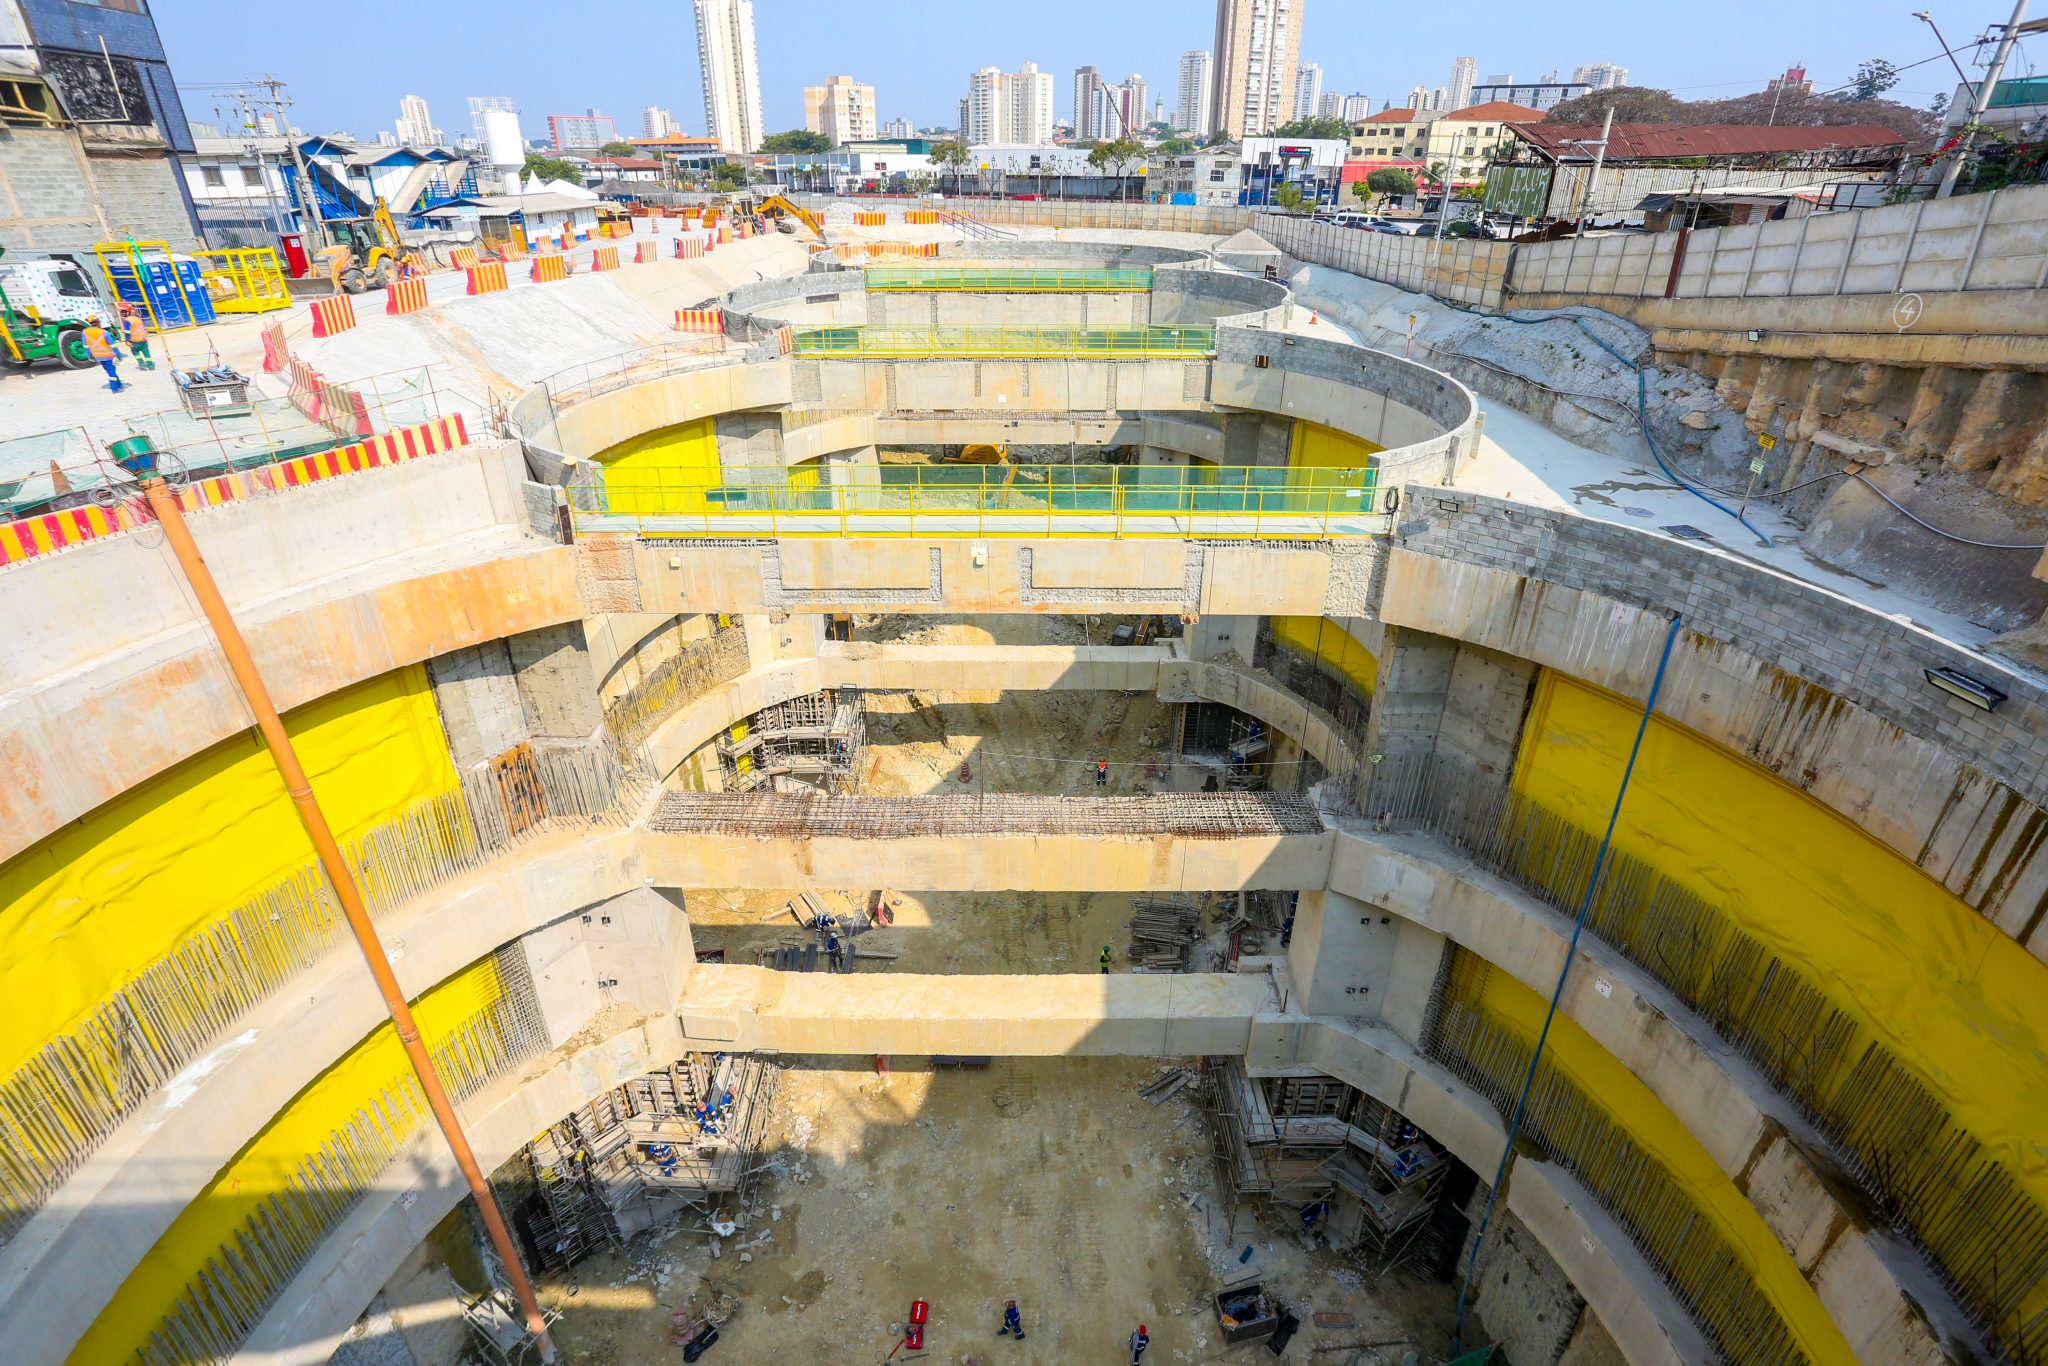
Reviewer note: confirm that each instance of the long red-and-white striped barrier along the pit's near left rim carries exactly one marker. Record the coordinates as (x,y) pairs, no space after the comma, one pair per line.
(54,531)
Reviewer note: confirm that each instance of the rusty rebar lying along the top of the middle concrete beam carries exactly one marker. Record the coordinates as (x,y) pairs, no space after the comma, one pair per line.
(810,816)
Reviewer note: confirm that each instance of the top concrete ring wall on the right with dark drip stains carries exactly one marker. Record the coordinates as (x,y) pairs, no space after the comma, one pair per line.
(1822,691)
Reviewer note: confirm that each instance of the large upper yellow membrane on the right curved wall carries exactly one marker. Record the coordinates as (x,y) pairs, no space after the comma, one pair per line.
(1918,972)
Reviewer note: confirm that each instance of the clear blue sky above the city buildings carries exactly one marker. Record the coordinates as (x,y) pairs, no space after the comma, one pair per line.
(564,58)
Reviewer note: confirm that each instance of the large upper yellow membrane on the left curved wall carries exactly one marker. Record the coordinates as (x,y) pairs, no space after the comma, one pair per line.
(110,894)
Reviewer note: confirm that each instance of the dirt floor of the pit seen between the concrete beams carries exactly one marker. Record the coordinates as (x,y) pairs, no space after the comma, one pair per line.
(1050,1181)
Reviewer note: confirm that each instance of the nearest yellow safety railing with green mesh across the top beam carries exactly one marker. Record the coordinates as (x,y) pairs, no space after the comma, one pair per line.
(986,501)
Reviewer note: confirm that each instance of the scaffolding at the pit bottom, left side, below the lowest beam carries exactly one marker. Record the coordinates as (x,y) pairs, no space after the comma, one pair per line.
(640,1154)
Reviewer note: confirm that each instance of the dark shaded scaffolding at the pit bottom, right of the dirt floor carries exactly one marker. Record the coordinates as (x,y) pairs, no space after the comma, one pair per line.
(1363,1172)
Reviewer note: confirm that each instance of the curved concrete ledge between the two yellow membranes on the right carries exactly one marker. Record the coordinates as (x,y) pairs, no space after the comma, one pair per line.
(1879,1291)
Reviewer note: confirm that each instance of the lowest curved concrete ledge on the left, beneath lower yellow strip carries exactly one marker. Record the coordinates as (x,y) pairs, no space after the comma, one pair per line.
(421,1187)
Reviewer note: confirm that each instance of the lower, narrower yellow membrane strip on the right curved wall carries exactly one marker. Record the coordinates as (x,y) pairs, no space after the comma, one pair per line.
(1635,1111)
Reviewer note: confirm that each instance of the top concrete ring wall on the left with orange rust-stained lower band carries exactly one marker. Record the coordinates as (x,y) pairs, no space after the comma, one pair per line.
(333,585)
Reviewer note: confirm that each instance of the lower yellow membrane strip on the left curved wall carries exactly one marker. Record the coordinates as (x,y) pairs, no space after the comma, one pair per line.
(271,1158)
